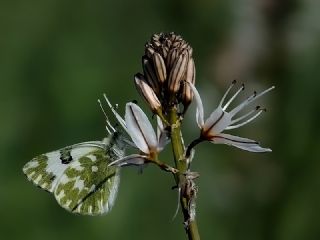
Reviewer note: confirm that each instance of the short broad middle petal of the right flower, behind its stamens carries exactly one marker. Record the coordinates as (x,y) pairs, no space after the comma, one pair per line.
(217,122)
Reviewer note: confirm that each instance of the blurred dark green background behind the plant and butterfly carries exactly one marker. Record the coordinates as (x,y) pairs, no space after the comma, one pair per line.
(58,57)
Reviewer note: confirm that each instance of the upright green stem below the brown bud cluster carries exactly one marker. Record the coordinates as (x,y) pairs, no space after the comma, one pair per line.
(180,178)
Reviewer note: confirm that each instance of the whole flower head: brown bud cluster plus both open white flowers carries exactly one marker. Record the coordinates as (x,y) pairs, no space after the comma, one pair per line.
(168,81)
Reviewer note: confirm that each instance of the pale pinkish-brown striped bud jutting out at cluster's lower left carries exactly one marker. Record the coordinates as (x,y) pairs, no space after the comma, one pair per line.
(147,92)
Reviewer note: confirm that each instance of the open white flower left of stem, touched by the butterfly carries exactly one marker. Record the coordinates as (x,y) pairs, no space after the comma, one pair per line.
(140,130)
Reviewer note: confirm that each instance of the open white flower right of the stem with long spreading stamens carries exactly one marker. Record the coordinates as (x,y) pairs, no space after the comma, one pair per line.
(220,120)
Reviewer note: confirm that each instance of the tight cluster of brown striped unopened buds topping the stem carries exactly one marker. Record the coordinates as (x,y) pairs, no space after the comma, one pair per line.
(167,65)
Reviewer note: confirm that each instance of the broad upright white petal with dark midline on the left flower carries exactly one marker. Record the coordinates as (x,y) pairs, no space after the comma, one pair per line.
(140,129)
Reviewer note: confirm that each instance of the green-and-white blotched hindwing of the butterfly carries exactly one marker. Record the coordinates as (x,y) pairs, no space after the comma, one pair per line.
(88,186)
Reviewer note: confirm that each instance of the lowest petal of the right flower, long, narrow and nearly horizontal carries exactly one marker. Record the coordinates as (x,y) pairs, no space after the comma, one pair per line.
(239,142)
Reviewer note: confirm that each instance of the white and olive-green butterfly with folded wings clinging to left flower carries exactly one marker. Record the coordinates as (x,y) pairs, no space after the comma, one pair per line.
(79,176)
